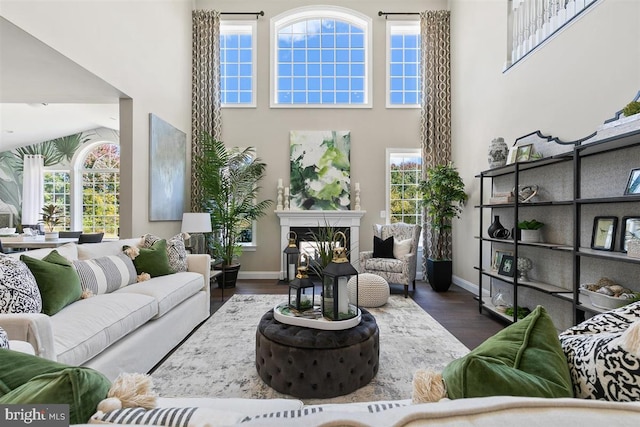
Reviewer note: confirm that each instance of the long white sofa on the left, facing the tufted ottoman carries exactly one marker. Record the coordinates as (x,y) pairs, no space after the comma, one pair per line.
(128,330)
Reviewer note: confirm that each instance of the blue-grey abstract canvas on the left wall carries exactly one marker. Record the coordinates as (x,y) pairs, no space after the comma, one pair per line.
(168,169)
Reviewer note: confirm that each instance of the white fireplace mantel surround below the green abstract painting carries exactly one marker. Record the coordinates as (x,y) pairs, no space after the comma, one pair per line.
(319,218)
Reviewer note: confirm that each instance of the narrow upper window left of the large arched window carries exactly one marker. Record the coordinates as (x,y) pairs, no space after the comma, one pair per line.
(237,63)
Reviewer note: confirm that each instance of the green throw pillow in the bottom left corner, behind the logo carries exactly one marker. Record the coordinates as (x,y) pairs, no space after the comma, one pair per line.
(27,379)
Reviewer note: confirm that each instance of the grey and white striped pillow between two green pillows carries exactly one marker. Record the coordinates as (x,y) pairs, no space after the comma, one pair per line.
(106,274)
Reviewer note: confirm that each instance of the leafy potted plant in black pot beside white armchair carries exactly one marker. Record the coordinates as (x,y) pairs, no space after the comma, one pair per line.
(443,197)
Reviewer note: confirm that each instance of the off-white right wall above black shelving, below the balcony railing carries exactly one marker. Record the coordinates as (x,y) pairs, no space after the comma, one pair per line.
(566,88)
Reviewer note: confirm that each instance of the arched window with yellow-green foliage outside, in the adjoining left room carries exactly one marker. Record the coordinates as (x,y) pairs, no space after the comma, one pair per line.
(101,190)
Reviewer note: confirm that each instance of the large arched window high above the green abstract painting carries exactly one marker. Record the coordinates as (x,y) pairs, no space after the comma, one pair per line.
(321,58)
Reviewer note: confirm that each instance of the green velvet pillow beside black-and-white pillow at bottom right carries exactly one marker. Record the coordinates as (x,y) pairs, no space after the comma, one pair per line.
(524,359)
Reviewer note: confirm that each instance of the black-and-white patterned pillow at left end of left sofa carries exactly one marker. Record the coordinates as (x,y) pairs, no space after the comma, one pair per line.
(19,292)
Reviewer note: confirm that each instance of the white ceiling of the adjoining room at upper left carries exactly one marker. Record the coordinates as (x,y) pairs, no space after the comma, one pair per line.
(45,95)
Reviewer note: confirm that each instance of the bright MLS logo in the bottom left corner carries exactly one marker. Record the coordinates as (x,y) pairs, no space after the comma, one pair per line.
(34,415)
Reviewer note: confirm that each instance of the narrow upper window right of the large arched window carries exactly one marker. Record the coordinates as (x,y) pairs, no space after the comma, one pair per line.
(403,64)
